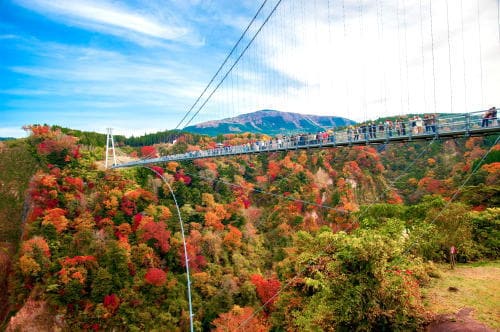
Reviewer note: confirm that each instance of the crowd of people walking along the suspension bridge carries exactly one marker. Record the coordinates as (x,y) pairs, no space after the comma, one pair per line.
(429,124)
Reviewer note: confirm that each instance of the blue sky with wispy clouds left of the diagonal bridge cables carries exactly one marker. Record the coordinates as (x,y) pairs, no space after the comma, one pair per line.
(136,65)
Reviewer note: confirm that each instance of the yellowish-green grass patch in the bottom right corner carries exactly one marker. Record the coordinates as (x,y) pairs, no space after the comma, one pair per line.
(478,288)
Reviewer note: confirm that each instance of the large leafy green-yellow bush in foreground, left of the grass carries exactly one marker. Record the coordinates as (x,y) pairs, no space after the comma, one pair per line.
(351,282)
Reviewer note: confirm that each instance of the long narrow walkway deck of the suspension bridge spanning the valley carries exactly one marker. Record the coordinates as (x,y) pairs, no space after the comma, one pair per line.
(469,124)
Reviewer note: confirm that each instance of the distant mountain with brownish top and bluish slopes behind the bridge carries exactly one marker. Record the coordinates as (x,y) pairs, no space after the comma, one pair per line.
(269,122)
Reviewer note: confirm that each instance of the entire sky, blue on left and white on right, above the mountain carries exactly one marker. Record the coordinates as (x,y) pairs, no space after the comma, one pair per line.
(138,66)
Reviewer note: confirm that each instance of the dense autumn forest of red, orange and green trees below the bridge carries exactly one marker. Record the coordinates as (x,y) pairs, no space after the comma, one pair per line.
(339,239)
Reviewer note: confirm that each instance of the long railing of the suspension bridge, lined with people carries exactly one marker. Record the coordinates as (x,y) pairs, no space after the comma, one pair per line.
(429,126)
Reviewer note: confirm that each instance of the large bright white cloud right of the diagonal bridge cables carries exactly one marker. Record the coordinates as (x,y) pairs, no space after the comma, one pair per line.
(387,60)
